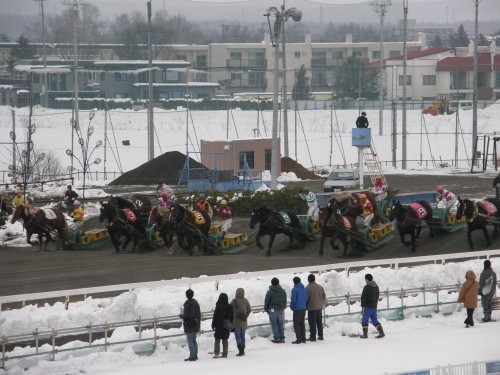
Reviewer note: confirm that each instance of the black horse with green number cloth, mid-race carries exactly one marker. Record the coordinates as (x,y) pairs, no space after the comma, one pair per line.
(273,222)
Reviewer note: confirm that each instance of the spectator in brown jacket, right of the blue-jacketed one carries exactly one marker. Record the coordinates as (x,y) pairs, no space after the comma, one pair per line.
(316,299)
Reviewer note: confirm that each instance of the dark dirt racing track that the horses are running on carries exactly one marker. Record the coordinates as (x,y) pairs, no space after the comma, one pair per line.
(25,270)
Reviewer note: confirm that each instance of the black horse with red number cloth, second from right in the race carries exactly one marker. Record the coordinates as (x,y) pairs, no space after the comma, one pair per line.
(409,220)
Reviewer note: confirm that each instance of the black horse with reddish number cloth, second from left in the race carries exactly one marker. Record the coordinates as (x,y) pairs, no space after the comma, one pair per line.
(122,222)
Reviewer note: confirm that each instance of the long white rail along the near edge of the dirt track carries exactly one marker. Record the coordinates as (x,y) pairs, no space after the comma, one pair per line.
(346,266)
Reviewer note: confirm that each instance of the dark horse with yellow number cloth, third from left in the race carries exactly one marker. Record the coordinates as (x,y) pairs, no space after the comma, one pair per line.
(191,228)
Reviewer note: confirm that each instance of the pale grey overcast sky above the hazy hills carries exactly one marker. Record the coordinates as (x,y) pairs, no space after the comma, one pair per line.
(448,11)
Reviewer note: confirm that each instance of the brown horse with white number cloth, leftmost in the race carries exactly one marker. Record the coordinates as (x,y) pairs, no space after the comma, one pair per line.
(42,222)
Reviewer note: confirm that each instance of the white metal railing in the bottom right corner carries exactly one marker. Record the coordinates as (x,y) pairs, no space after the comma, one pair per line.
(472,368)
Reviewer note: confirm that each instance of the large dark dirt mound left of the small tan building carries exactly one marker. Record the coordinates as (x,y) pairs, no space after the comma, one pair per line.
(166,168)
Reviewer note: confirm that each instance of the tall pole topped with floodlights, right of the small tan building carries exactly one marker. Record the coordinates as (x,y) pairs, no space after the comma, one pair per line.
(280,17)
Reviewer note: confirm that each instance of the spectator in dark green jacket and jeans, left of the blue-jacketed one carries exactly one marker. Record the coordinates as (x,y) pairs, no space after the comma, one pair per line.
(275,305)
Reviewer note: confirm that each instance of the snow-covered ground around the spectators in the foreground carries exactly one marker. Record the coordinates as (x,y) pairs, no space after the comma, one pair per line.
(410,344)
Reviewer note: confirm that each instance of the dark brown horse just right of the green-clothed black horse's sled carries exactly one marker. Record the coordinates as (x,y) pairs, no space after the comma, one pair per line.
(335,226)
